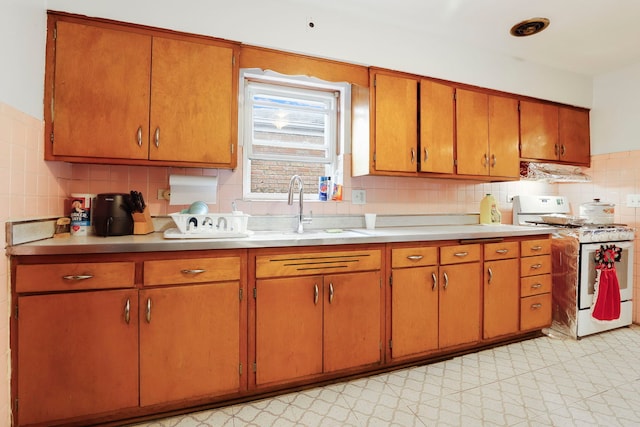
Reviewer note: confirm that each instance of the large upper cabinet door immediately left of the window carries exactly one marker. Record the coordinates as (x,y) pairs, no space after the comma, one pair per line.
(191,102)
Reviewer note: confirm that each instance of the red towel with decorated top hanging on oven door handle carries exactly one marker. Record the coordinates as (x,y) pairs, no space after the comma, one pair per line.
(606,295)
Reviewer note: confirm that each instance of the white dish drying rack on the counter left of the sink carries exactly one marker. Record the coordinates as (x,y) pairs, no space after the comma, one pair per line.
(208,226)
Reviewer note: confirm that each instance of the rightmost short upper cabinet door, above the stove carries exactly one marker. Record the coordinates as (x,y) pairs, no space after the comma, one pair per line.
(575,146)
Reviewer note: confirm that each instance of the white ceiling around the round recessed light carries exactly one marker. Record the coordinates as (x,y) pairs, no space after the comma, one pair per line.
(588,37)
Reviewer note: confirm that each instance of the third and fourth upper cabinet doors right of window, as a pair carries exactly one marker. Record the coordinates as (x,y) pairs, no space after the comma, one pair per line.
(487,135)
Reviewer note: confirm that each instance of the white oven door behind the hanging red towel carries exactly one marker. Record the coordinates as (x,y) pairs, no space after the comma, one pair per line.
(624,270)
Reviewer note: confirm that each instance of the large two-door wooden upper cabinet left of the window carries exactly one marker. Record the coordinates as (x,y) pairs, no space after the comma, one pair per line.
(123,95)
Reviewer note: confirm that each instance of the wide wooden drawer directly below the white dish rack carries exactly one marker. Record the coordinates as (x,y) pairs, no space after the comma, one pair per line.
(191,270)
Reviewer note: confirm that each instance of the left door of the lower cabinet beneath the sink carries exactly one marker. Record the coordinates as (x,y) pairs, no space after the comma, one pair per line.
(288,328)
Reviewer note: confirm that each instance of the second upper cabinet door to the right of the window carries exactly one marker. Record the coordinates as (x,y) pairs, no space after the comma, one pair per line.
(437,111)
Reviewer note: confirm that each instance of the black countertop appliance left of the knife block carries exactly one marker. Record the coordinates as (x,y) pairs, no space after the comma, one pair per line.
(112,214)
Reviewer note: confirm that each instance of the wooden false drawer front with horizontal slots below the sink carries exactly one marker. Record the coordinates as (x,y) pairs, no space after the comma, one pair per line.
(293,264)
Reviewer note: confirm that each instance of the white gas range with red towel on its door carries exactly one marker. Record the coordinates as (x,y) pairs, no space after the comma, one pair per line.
(574,249)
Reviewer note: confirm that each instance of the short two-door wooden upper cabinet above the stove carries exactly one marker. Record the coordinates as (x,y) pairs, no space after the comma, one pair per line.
(554,133)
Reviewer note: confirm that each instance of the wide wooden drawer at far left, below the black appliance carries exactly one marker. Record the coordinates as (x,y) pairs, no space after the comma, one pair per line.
(74,276)
